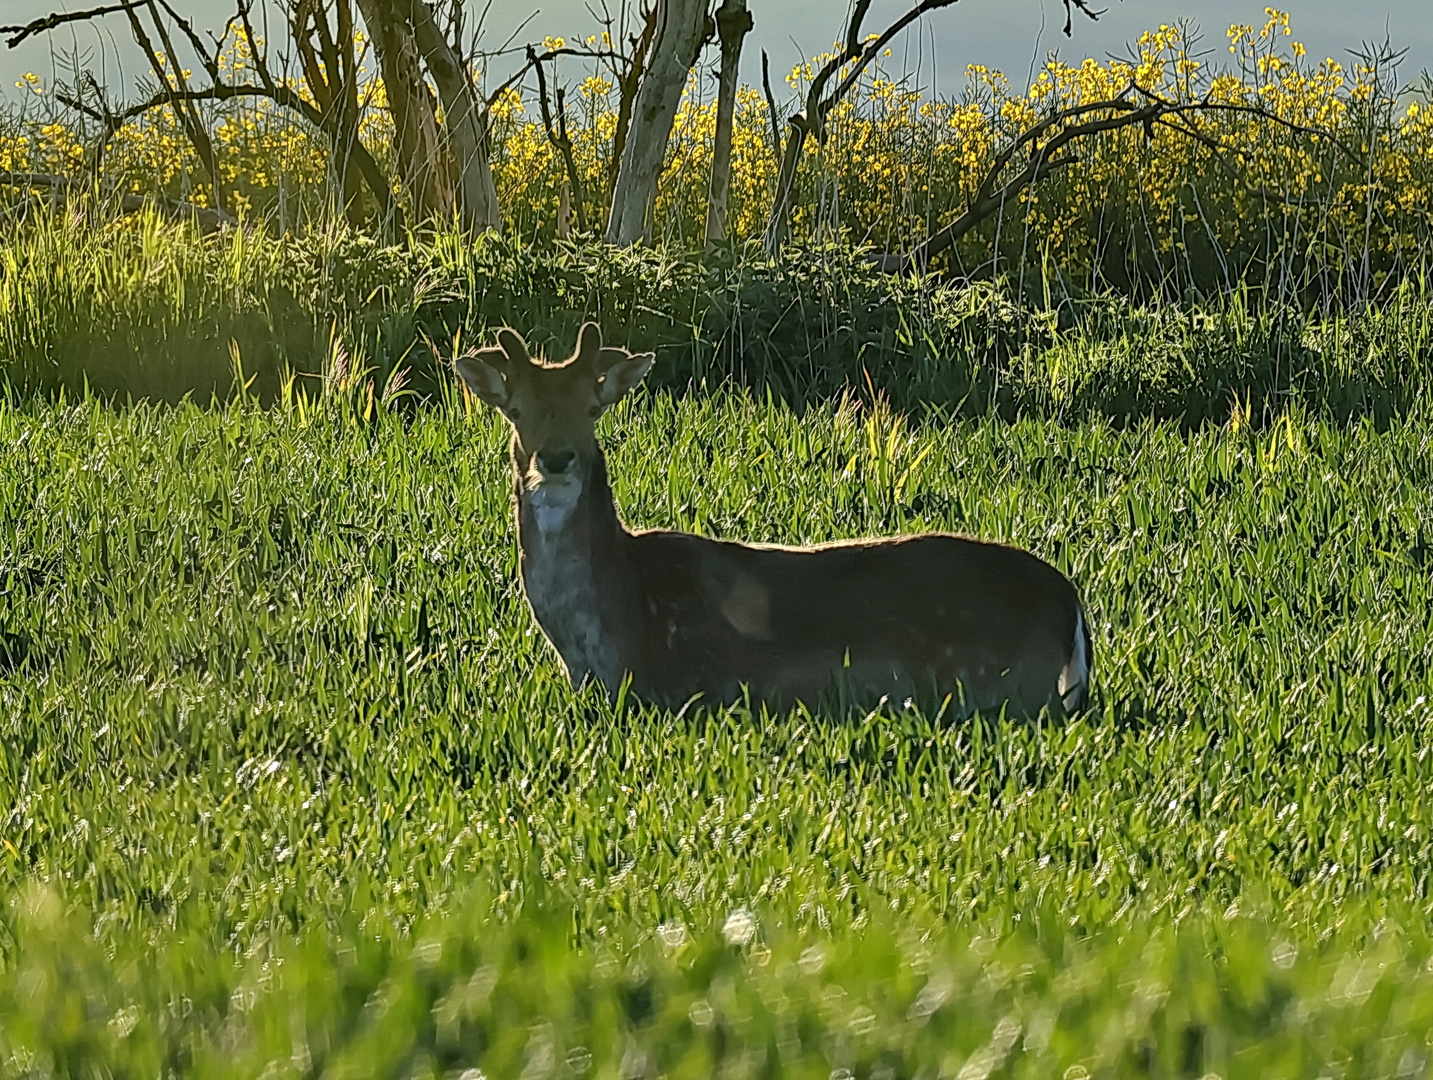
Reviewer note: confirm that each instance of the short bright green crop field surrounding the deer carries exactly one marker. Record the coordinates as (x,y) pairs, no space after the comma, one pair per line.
(293,786)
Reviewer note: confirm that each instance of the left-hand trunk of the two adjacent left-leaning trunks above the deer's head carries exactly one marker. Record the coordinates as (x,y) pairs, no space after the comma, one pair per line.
(415,118)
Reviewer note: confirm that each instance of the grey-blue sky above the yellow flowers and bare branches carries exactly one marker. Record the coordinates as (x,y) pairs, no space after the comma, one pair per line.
(1007,35)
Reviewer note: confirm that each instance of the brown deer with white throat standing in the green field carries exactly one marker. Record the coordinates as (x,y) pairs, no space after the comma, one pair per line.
(932,617)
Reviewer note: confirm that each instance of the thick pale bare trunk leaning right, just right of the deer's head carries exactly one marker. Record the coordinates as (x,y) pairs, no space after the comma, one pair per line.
(683,28)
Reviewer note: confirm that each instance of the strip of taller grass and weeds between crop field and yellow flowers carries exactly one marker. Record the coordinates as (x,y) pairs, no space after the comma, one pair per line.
(143,310)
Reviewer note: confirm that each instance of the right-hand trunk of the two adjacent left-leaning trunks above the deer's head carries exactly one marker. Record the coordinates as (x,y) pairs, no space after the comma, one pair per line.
(466,120)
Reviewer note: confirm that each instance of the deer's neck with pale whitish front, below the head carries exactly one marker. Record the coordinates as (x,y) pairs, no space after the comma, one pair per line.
(575,571)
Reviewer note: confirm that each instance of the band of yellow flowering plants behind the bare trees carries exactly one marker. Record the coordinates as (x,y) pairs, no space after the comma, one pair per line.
(1341,167)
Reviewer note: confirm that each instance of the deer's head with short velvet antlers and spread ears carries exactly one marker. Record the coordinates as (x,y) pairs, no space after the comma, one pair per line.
(554,409)
